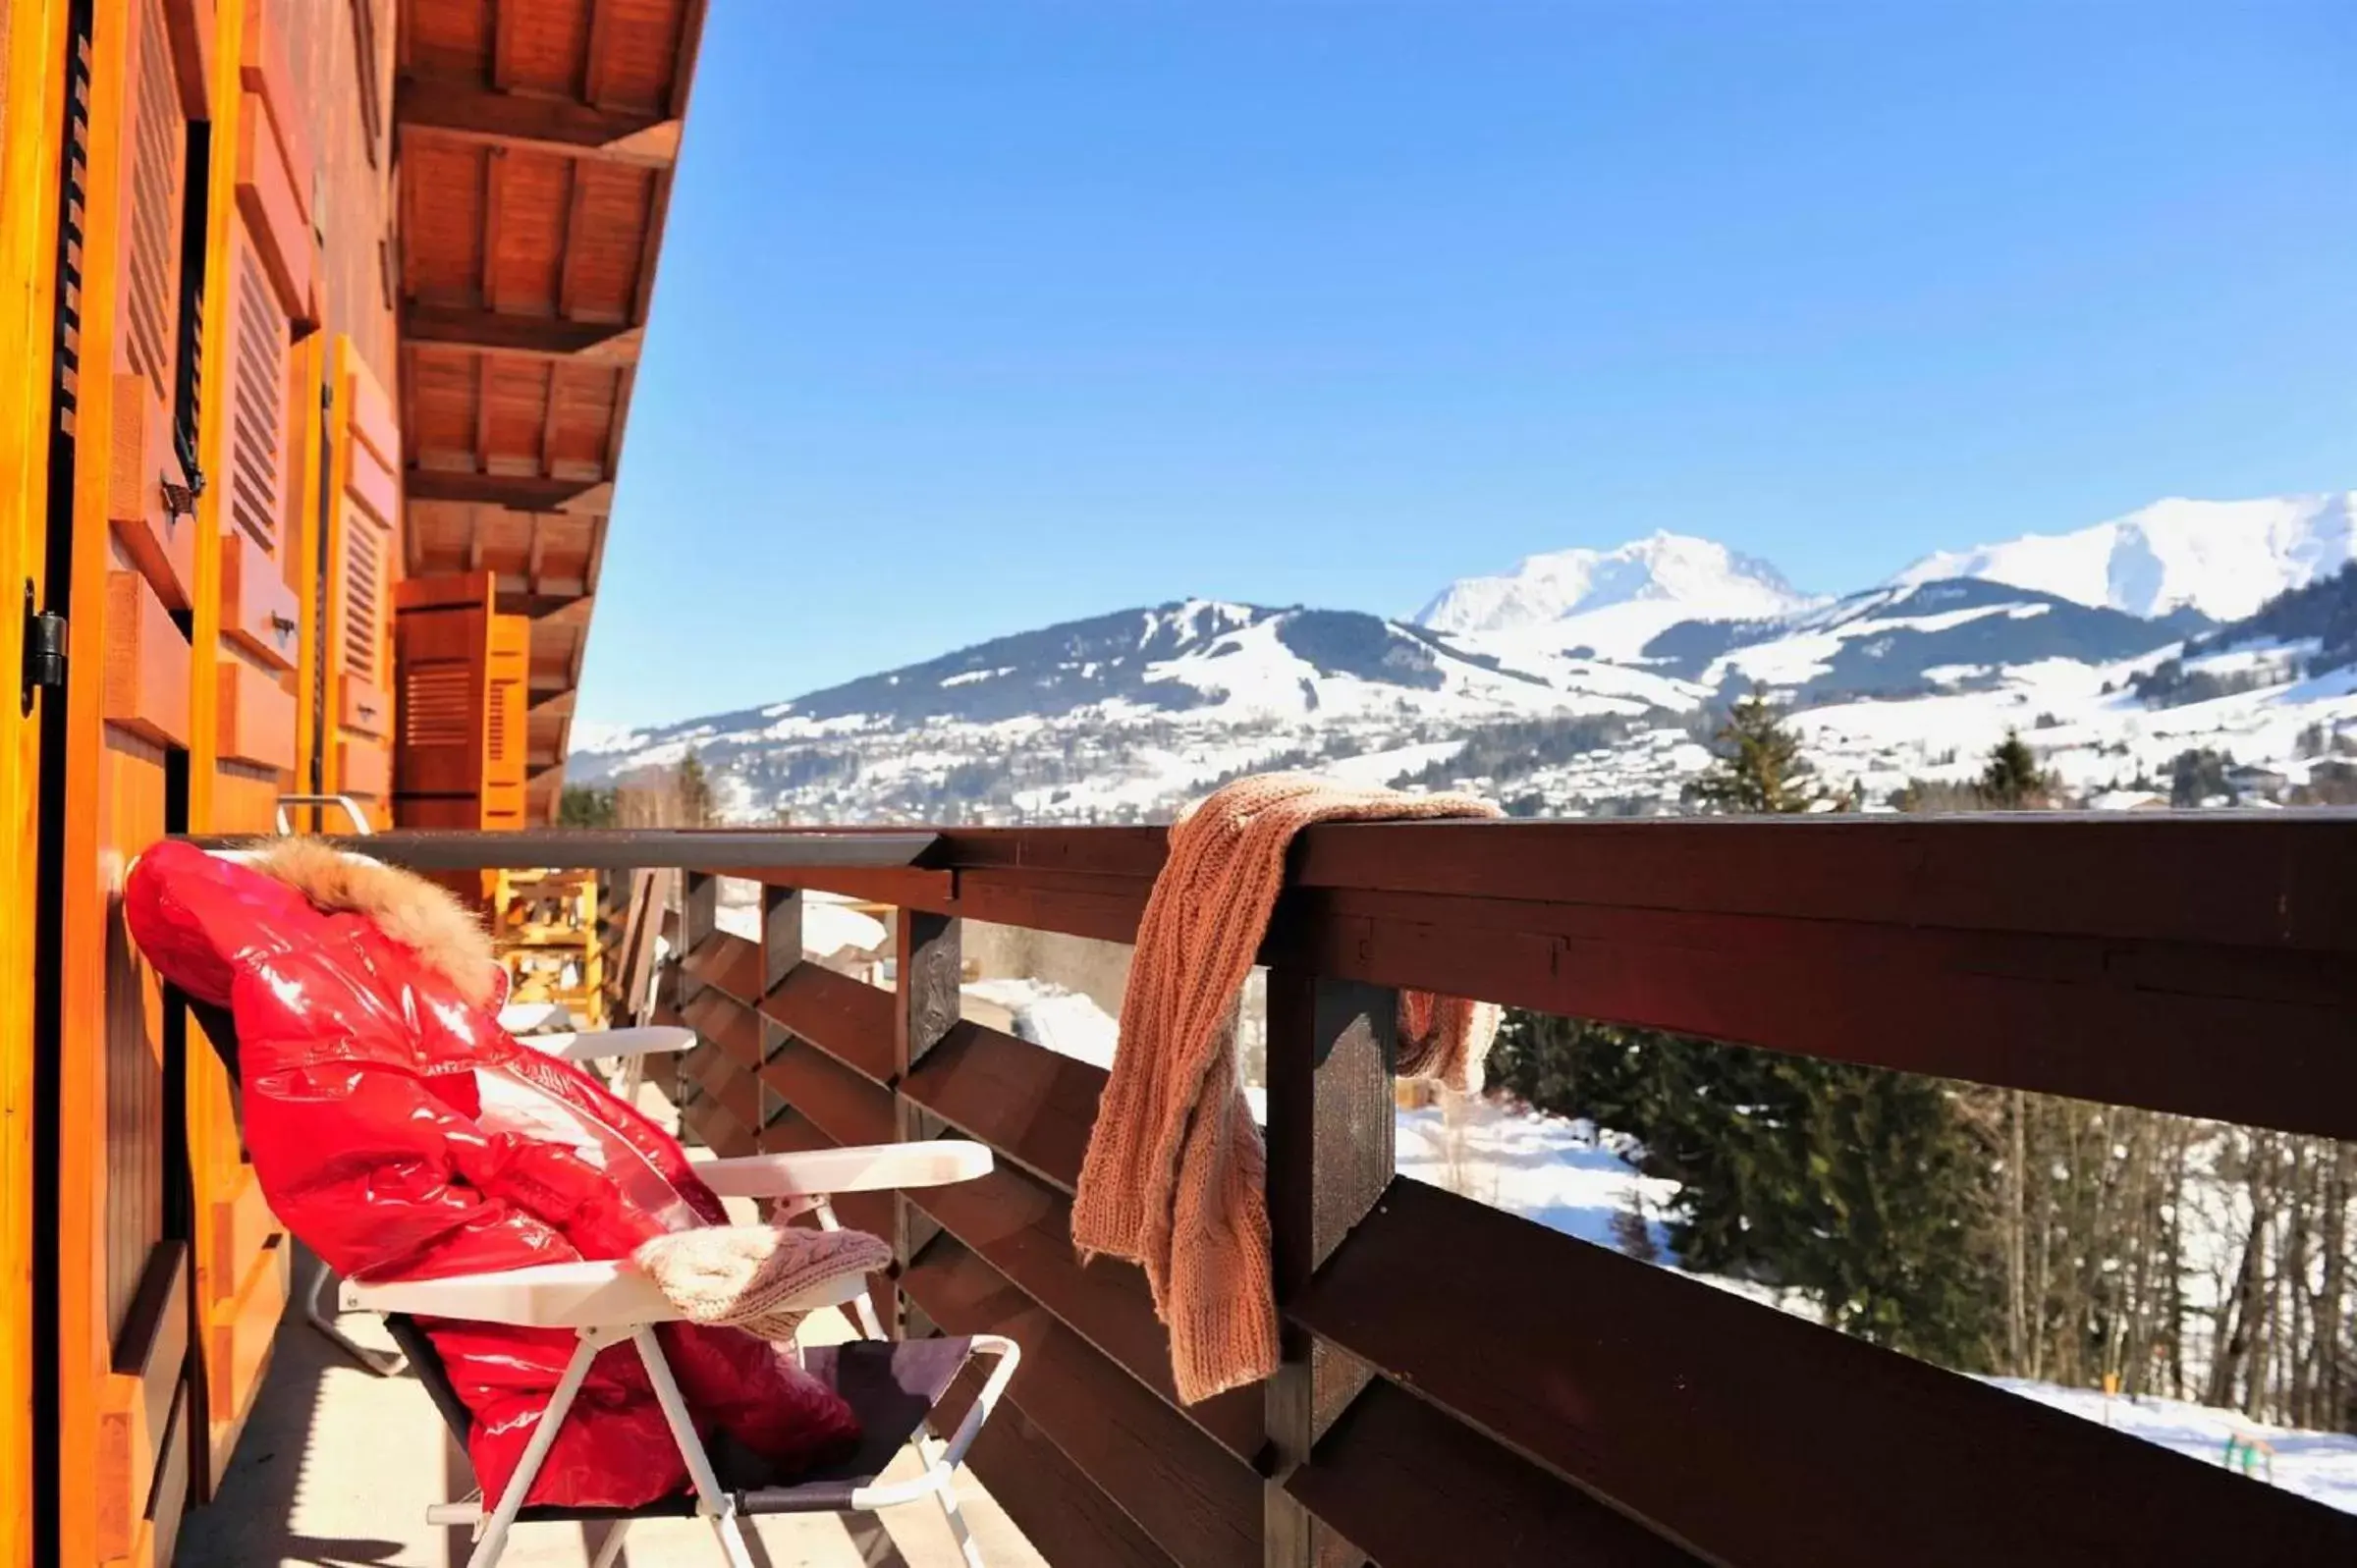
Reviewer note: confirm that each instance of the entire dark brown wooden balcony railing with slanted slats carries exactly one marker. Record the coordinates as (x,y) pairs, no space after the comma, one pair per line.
(1460,1385)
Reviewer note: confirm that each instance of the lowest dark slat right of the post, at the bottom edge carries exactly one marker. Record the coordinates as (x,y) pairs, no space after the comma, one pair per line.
(1413,1489)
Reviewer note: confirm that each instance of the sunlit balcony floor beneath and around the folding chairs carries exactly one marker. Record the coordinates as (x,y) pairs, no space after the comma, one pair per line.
(338,1468)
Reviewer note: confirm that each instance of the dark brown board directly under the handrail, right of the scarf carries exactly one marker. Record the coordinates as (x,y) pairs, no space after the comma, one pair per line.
(2238,1034)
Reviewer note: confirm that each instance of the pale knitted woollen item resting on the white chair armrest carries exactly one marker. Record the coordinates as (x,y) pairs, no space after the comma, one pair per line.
(744,1277)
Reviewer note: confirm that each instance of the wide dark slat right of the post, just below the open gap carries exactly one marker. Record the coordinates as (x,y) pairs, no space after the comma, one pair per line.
(1755,1437)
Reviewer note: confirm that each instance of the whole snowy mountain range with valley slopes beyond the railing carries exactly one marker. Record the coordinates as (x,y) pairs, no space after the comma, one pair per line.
(1587,683)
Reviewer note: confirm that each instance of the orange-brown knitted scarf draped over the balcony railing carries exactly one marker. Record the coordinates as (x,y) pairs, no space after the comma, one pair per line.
(1175,1171)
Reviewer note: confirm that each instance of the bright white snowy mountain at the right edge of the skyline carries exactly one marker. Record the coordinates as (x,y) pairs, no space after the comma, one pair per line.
(2221,558)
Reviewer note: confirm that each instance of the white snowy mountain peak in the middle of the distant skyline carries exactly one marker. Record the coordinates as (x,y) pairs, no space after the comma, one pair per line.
(1611,602)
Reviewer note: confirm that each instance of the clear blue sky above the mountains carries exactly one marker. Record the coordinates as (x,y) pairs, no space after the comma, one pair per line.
(979,315)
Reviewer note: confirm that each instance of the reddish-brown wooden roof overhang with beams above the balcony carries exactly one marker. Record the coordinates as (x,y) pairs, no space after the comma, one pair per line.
(536,150)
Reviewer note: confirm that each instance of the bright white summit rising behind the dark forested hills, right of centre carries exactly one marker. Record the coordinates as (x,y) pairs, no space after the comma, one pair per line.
(1703,579)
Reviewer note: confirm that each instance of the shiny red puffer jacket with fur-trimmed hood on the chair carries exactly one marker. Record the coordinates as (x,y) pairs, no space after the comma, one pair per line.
(400,1133)
